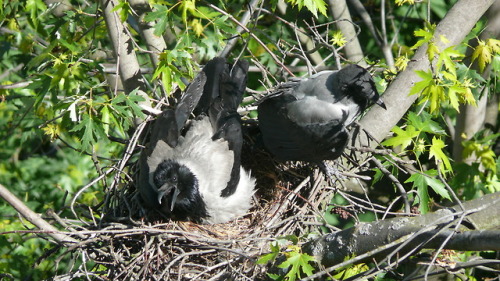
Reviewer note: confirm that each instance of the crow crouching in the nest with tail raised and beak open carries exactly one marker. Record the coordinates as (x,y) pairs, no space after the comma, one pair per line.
(191,168)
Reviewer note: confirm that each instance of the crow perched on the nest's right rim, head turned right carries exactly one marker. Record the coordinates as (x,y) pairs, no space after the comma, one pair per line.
(306,119)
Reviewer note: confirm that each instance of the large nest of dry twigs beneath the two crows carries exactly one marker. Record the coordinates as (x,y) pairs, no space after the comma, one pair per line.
(121,240)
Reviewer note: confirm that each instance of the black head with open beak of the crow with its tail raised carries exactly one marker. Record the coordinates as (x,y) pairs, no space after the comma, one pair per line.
(178,192)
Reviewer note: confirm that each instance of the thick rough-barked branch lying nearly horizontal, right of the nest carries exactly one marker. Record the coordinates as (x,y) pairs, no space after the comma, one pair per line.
(410,233)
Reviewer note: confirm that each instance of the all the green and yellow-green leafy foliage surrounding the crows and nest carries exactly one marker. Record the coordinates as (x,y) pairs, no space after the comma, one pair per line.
(59,120)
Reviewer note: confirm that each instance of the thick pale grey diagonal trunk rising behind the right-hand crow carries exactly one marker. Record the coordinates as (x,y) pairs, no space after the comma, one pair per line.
(457,23)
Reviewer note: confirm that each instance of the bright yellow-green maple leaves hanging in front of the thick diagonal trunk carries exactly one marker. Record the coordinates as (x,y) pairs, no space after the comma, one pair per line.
(447,84)
